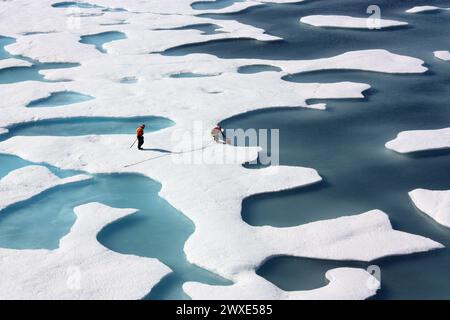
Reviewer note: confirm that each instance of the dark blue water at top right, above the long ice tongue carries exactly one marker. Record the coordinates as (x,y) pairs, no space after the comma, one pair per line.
(302,41)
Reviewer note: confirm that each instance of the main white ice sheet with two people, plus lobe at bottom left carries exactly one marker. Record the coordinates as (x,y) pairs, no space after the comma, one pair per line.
(208,192)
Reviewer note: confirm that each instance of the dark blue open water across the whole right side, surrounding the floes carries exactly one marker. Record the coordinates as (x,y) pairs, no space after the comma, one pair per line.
(346,142)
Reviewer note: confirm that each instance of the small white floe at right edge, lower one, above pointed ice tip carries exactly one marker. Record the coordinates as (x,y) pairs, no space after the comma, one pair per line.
(434,203)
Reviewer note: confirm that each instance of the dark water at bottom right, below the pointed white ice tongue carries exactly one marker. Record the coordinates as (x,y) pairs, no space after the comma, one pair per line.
(406,277)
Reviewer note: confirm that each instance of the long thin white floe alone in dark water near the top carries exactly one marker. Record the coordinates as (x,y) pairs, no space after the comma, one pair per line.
(337,21)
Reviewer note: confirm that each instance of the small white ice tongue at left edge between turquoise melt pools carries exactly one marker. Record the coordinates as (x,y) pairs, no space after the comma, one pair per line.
(29,181)
